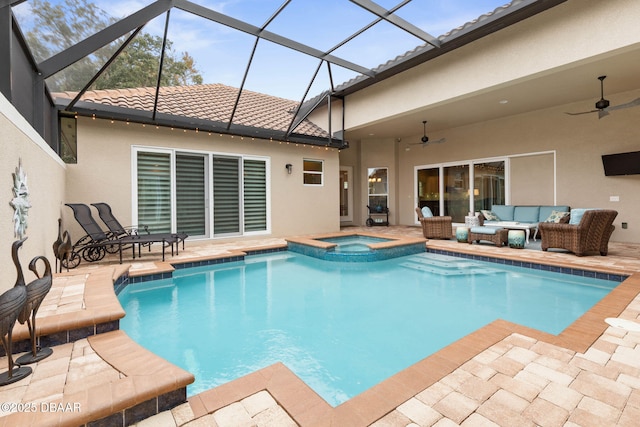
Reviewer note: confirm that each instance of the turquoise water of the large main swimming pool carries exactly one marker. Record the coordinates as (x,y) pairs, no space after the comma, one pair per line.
(341,327)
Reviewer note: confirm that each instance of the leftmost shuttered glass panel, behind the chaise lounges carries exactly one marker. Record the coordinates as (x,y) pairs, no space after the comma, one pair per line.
(154,191)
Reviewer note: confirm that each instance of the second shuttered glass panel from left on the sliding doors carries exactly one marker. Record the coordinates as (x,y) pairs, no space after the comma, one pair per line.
(190,194)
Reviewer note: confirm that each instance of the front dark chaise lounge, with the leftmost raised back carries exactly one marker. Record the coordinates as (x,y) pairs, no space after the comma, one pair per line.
(96,243)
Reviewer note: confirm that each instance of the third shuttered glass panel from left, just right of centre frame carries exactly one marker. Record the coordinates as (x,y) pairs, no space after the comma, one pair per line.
(226,195)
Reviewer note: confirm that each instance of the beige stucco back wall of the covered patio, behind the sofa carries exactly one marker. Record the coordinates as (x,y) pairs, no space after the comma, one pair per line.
(578,143)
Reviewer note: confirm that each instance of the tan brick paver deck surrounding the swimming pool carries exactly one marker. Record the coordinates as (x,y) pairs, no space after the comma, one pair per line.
(503,374)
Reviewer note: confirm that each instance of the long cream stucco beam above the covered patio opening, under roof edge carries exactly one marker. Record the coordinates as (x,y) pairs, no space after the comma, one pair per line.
(572,32)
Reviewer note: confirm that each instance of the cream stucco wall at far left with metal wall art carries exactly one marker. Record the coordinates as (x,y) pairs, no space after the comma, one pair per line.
(45,176)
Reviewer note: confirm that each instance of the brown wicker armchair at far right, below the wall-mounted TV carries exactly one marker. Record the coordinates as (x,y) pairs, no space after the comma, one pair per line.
(590,235)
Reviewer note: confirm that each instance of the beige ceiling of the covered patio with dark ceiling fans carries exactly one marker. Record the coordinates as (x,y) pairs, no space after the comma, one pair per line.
(570,85)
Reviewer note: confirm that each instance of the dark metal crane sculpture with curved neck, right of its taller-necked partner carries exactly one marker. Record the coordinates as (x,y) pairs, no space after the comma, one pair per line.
(36,291)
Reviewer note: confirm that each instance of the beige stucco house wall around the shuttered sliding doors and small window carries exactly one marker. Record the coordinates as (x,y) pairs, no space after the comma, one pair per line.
(103,173)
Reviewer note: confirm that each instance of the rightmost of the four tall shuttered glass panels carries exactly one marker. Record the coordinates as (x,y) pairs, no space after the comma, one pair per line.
(255,195)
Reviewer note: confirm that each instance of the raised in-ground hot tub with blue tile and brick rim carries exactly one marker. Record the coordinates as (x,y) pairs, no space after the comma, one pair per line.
(356,247)
